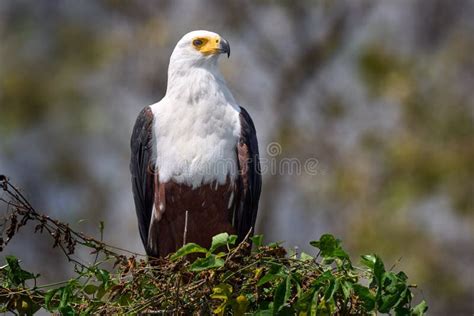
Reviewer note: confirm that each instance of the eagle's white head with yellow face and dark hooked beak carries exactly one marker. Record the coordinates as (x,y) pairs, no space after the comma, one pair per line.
(200,47)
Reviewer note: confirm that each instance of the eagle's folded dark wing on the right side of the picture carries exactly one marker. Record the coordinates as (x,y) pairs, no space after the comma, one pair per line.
(250,178)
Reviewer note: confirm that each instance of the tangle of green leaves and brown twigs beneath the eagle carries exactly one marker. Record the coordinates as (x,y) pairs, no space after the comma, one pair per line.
(228,278)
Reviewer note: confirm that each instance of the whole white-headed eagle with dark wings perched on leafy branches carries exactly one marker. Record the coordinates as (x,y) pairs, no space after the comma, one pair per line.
(194,164)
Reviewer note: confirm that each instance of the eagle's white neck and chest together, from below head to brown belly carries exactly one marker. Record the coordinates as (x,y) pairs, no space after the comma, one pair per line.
(197,125)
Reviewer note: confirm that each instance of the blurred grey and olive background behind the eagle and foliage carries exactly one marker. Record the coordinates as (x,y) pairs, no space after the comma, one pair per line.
(379,92)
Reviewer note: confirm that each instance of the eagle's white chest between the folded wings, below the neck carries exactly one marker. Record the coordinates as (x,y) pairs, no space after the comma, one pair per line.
(196,143)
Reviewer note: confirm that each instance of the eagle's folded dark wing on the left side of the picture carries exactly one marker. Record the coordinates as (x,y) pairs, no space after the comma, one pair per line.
(141,168)
